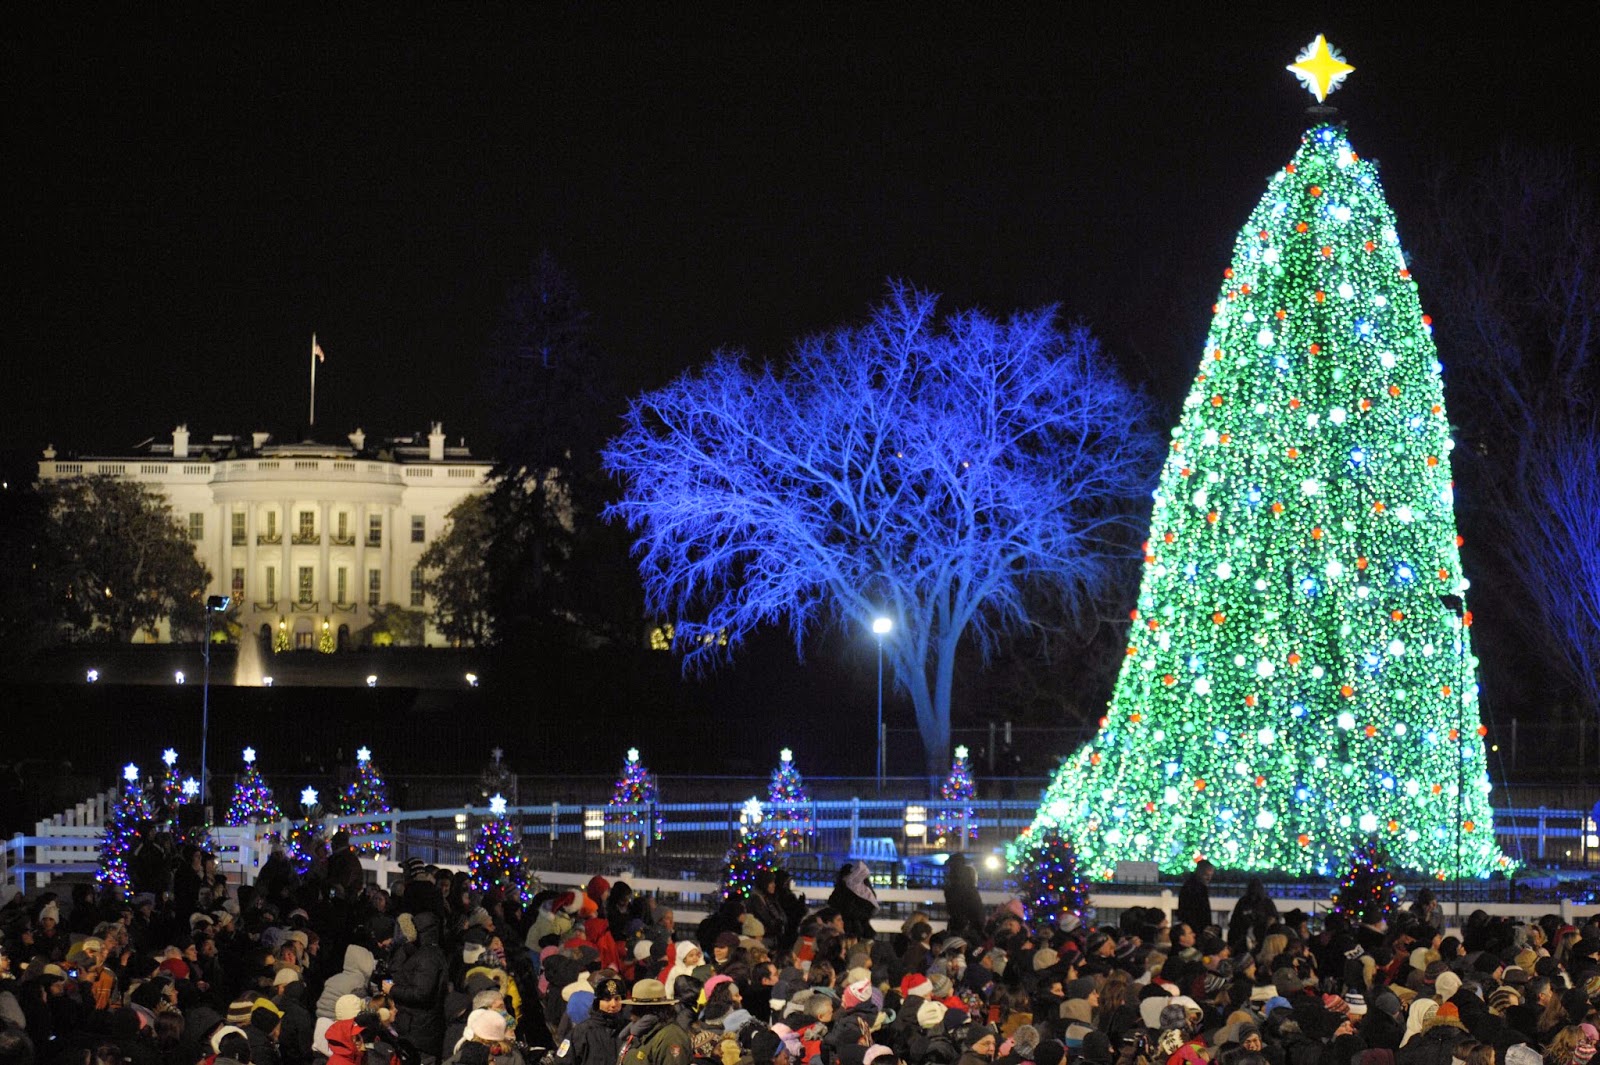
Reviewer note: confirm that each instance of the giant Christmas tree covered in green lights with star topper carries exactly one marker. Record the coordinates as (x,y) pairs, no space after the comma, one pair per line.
(1298,676)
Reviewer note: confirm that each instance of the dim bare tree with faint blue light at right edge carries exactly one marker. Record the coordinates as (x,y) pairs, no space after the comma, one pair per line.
(1513,263)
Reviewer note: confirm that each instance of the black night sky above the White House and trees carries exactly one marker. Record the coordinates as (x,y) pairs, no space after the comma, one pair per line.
(190,204)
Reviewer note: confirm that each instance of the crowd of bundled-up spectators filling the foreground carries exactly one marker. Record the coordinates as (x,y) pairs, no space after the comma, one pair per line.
(327,970)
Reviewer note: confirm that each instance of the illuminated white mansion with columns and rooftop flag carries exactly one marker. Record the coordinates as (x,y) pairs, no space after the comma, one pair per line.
(308,538)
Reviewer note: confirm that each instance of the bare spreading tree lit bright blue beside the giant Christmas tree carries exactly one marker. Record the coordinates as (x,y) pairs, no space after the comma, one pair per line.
(934,471)
